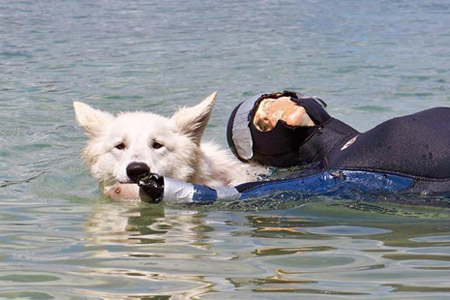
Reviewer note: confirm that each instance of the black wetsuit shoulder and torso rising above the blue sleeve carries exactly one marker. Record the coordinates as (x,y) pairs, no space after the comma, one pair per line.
(416,145)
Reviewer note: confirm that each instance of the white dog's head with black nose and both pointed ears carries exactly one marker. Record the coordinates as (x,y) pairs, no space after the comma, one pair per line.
(122,147)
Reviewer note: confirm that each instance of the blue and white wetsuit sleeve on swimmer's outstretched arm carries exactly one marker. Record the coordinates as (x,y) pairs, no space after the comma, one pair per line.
(340,183)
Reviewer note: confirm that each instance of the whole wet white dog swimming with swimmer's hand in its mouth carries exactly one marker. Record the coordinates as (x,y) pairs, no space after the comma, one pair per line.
(125,146)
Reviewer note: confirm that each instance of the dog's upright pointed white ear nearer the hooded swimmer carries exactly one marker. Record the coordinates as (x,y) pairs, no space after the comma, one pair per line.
(193,120)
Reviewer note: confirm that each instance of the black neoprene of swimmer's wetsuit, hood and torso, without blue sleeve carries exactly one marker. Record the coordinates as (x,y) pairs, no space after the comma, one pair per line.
(416,146)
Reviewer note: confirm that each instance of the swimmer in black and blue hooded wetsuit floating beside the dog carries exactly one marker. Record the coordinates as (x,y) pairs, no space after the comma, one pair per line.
(405,154)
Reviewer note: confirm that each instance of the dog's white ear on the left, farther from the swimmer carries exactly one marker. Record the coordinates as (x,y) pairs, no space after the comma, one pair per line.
(92,120)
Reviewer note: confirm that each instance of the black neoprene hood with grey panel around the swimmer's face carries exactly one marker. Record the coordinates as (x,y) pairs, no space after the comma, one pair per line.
(280,146)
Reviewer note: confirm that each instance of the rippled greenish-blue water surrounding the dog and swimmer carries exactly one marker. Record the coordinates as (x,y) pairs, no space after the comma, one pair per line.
(370,60)
